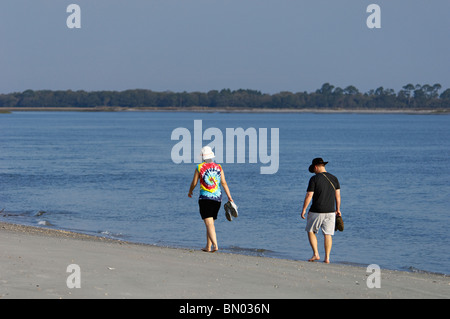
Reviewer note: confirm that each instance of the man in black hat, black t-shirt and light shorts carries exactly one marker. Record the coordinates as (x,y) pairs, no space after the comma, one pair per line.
(325,192)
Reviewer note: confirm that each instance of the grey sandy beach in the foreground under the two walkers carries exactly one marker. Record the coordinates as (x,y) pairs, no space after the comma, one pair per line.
(34,264)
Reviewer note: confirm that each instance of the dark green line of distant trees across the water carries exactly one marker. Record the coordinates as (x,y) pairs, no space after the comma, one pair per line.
(327,97)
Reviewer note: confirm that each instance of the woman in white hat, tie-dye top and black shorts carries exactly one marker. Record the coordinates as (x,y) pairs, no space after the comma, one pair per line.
(211,177)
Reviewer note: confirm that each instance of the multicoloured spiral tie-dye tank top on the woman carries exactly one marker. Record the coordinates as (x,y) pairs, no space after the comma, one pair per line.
(210,181)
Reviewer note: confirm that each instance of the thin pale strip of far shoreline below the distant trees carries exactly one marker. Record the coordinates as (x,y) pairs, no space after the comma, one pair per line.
(5,110)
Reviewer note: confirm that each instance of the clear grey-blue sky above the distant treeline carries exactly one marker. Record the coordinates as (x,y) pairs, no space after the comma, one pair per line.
(200,45)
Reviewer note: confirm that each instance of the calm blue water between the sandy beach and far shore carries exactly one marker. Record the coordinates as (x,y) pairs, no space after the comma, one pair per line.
(112,174)
